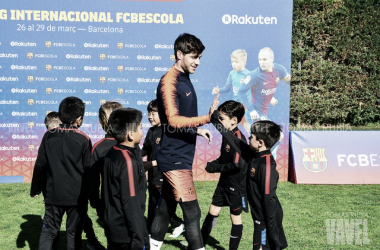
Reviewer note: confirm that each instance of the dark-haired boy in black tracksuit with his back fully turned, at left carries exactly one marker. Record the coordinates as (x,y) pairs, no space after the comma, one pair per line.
(65,157)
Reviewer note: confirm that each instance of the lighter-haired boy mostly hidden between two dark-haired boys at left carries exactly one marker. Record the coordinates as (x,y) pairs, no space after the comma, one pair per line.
(99,150)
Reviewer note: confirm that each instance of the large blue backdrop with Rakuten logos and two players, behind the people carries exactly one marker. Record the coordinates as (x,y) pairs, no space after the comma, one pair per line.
(102,50)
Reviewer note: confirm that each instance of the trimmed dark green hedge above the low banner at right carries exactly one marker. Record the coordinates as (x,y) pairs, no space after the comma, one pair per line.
(335,62)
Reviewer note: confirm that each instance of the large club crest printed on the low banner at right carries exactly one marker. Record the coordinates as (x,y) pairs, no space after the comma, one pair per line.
(314,159)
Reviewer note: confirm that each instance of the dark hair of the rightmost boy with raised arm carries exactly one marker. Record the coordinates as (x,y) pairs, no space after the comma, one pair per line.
(267,131)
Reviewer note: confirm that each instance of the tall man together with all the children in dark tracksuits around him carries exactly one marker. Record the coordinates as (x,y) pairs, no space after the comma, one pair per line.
(111,174)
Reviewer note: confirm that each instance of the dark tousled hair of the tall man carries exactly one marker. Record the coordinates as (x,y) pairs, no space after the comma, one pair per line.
(187,43)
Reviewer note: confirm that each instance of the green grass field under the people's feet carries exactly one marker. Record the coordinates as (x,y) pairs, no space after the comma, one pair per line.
(311,212)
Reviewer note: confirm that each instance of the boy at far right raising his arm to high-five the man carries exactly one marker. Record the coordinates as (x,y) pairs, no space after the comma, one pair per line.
(262,178)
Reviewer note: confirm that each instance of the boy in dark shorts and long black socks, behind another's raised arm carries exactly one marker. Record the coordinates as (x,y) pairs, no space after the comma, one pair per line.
(231,188)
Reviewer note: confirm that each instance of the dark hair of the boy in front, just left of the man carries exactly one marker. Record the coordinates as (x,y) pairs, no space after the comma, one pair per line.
(122,121)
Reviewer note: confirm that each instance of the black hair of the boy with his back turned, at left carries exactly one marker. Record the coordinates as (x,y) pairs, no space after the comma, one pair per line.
(70,109)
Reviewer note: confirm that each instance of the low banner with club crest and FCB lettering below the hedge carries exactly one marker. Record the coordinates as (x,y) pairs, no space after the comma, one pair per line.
(336,157)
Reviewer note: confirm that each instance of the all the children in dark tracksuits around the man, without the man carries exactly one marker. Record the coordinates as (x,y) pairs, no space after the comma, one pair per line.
(69,171)
